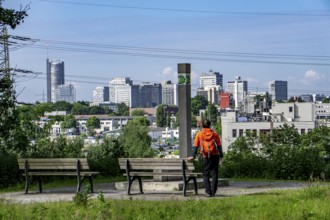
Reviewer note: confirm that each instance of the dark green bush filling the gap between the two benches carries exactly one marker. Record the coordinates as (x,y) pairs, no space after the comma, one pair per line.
(104,157)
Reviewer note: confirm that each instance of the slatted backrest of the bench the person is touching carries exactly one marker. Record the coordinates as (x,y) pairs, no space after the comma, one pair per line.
(154,164)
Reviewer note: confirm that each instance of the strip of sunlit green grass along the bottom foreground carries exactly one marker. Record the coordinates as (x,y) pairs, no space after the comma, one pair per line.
(308,203)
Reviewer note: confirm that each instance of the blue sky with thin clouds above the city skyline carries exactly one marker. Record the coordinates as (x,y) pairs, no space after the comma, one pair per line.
(98,40)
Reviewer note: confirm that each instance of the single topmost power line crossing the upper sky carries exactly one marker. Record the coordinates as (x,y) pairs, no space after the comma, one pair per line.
(189,10)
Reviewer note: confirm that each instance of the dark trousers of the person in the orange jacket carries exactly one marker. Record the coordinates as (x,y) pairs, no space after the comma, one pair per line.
(211,166)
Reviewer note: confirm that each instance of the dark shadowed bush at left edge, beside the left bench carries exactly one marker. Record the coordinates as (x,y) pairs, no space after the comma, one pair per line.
(9,171)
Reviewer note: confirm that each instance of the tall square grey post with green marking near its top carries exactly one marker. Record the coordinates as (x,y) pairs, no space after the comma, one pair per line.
(184,88)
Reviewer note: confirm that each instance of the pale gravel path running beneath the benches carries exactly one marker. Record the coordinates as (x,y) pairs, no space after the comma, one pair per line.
(235,188)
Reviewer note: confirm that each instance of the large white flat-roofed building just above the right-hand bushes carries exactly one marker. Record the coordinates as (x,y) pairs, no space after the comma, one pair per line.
(301,115)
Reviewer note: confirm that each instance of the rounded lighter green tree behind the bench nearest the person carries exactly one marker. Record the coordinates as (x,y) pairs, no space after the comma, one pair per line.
(136,141)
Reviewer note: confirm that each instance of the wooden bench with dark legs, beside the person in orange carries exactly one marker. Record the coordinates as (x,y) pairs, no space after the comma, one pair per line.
(143,167)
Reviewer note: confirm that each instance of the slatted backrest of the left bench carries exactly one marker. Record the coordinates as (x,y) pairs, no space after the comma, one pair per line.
(53,163)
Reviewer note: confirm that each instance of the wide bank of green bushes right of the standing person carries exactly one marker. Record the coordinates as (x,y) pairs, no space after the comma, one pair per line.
(285,156)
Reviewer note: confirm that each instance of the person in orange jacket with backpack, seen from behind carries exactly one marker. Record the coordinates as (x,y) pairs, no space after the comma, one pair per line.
(210,148)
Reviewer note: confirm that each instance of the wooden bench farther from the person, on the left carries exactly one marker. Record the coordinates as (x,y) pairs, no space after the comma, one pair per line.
(55,167)
